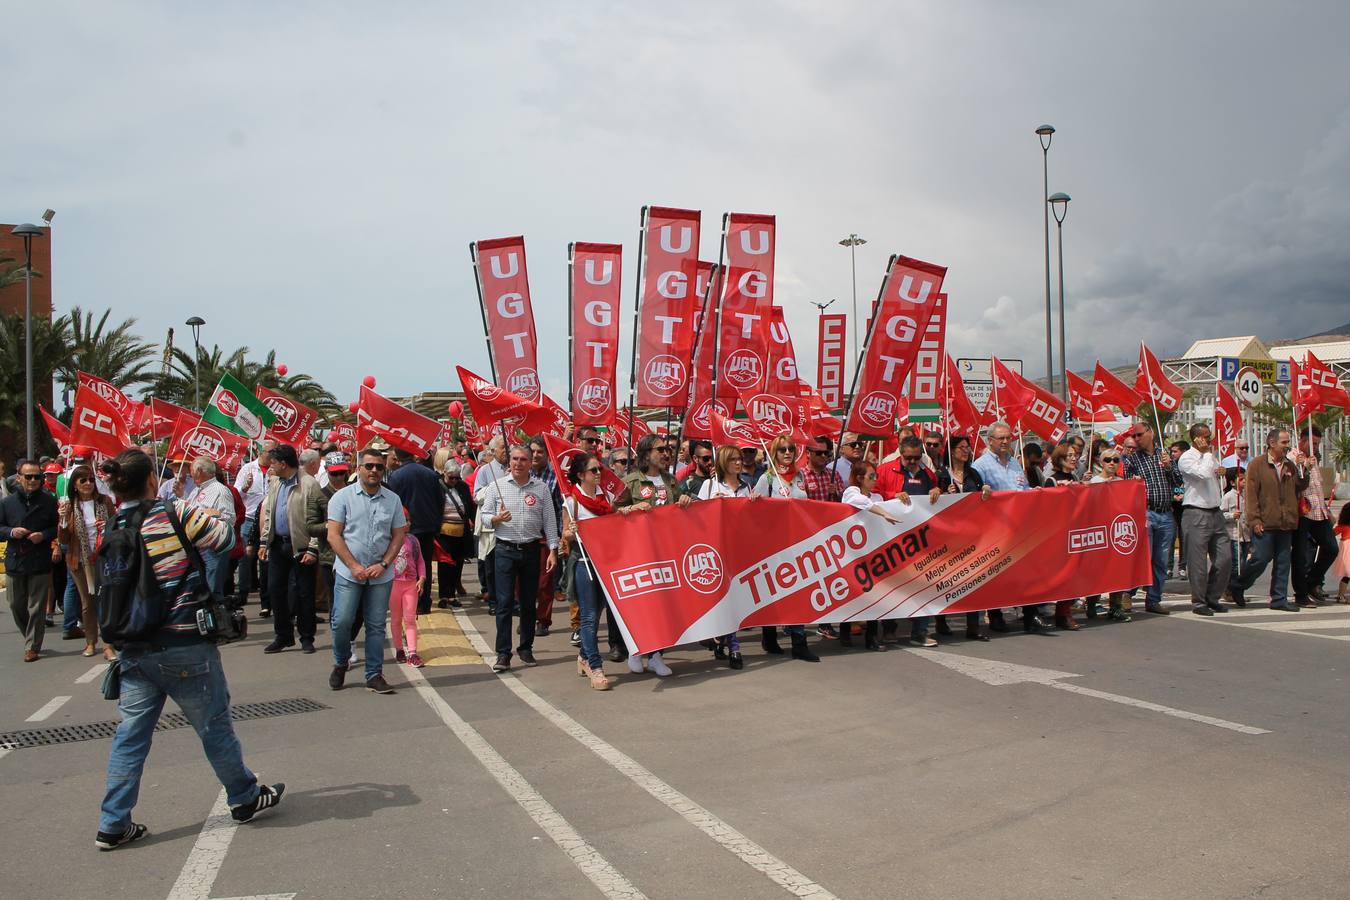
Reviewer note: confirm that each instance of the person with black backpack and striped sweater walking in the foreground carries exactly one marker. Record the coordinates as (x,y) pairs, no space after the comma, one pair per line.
(151,611)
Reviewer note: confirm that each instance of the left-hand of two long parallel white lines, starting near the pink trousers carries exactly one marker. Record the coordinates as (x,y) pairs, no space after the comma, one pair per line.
(588,859)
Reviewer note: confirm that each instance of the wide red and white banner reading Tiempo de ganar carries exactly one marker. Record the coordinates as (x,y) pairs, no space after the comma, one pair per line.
(681,575)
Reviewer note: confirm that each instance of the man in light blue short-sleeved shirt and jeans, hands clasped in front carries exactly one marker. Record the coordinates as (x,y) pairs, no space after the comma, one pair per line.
(367,528)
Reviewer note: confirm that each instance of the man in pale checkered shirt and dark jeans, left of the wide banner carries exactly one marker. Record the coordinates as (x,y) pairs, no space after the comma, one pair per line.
(520,509)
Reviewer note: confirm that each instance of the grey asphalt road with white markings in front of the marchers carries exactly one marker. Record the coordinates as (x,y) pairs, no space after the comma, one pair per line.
(1167,758)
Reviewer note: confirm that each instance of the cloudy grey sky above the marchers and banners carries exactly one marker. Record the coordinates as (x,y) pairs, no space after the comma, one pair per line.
(308,176)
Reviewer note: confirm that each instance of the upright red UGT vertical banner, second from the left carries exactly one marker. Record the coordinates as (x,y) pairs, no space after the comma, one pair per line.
(595,296)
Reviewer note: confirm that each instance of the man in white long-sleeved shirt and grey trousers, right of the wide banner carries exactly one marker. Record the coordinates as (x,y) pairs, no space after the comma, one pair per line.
(1209,554)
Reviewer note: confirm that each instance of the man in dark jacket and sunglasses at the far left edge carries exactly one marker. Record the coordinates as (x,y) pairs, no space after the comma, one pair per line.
(29,524)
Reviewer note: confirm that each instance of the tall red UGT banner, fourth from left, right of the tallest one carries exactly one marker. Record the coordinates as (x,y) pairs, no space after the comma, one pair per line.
(745,310)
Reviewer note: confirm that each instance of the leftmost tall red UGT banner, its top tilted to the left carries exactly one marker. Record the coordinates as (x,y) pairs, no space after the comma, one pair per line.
(504,291)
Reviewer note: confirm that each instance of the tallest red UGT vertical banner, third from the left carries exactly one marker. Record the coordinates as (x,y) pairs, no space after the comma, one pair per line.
(666,306)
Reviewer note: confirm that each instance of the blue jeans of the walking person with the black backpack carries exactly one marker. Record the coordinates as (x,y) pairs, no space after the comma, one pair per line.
(191,675)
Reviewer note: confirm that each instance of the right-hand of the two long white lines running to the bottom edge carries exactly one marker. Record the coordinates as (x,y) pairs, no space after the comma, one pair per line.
(730,839)
